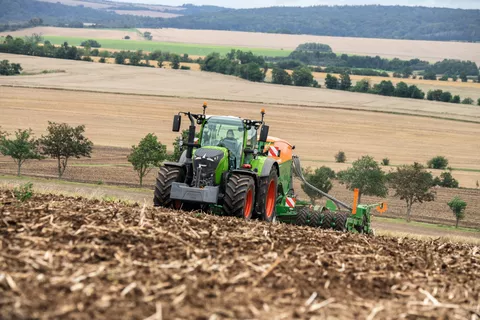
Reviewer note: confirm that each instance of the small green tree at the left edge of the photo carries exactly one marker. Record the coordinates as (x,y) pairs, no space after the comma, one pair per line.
(21,148)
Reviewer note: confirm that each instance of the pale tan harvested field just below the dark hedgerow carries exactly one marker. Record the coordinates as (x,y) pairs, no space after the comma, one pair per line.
(204,85)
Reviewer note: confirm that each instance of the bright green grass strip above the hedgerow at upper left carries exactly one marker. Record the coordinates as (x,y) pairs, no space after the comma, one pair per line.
(178,48)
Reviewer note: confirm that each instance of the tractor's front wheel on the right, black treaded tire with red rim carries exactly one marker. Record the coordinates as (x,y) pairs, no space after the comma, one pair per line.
(239,198)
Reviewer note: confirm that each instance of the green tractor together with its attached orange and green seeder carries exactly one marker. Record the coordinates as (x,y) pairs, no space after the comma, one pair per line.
(236,169)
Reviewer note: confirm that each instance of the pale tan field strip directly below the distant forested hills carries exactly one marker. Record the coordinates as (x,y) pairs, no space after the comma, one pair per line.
(386,48)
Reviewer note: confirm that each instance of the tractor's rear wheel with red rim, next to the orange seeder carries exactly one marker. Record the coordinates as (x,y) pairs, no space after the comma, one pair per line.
(267,197)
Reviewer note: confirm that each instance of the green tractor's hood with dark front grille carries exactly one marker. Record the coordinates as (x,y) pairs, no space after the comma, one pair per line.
(208,165)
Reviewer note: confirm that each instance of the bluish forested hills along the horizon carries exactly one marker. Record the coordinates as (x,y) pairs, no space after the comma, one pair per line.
(373,21)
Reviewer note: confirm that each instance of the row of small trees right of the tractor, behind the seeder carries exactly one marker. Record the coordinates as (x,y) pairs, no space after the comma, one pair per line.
(411,183)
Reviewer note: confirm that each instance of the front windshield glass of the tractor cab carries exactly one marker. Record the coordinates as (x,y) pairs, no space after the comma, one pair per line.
(224,132)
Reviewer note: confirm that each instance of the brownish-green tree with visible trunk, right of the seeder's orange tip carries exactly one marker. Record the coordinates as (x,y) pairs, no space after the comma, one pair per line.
(413,184)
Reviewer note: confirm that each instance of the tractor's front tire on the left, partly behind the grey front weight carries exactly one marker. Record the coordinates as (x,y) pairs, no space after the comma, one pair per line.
(163,187)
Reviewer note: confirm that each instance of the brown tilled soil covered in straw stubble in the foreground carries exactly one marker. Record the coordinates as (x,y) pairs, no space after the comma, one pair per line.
(72,258)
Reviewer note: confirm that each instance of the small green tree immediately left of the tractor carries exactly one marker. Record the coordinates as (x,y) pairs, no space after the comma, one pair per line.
(148,154)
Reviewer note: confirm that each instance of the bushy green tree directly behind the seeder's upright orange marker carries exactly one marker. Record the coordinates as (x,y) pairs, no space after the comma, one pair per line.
(366,175)
